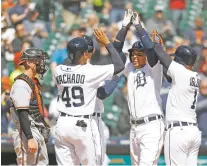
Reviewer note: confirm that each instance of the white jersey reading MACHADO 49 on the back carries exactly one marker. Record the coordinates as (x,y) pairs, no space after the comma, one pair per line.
(77,87)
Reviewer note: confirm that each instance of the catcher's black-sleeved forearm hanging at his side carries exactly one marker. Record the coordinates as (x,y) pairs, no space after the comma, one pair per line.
(24,122)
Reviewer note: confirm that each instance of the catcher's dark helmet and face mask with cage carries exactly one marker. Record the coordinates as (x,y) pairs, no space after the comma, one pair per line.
(38,56)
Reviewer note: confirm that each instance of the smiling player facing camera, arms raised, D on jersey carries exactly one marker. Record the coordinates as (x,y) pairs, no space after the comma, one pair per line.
(144,78)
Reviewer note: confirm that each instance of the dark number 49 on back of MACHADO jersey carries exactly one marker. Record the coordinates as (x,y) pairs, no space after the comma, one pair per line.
(66,97)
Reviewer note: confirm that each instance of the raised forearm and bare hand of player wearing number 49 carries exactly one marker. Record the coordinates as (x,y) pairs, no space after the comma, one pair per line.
(102,38)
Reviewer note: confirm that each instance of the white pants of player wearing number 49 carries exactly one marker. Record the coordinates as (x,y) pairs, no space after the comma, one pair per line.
(75,144)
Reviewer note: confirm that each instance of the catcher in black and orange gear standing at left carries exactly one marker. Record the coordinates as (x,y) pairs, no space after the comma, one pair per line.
(31,132)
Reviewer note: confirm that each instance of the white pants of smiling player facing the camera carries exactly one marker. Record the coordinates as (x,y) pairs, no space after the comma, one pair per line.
(146,141)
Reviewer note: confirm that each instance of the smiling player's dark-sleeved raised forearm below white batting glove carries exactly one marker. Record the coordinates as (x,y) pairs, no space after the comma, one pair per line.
(120,38)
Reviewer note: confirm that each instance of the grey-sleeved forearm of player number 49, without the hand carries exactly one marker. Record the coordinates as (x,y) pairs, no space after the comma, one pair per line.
(115,58)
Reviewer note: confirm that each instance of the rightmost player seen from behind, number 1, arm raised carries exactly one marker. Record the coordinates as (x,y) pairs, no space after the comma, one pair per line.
(182,138)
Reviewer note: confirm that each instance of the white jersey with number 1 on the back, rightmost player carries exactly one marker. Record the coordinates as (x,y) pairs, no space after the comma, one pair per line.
(182,97)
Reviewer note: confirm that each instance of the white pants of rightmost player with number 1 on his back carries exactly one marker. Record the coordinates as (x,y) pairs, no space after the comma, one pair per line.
(181,145)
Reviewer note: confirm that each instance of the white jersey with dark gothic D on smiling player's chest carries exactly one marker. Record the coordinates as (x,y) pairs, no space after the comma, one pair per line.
(144,90)
